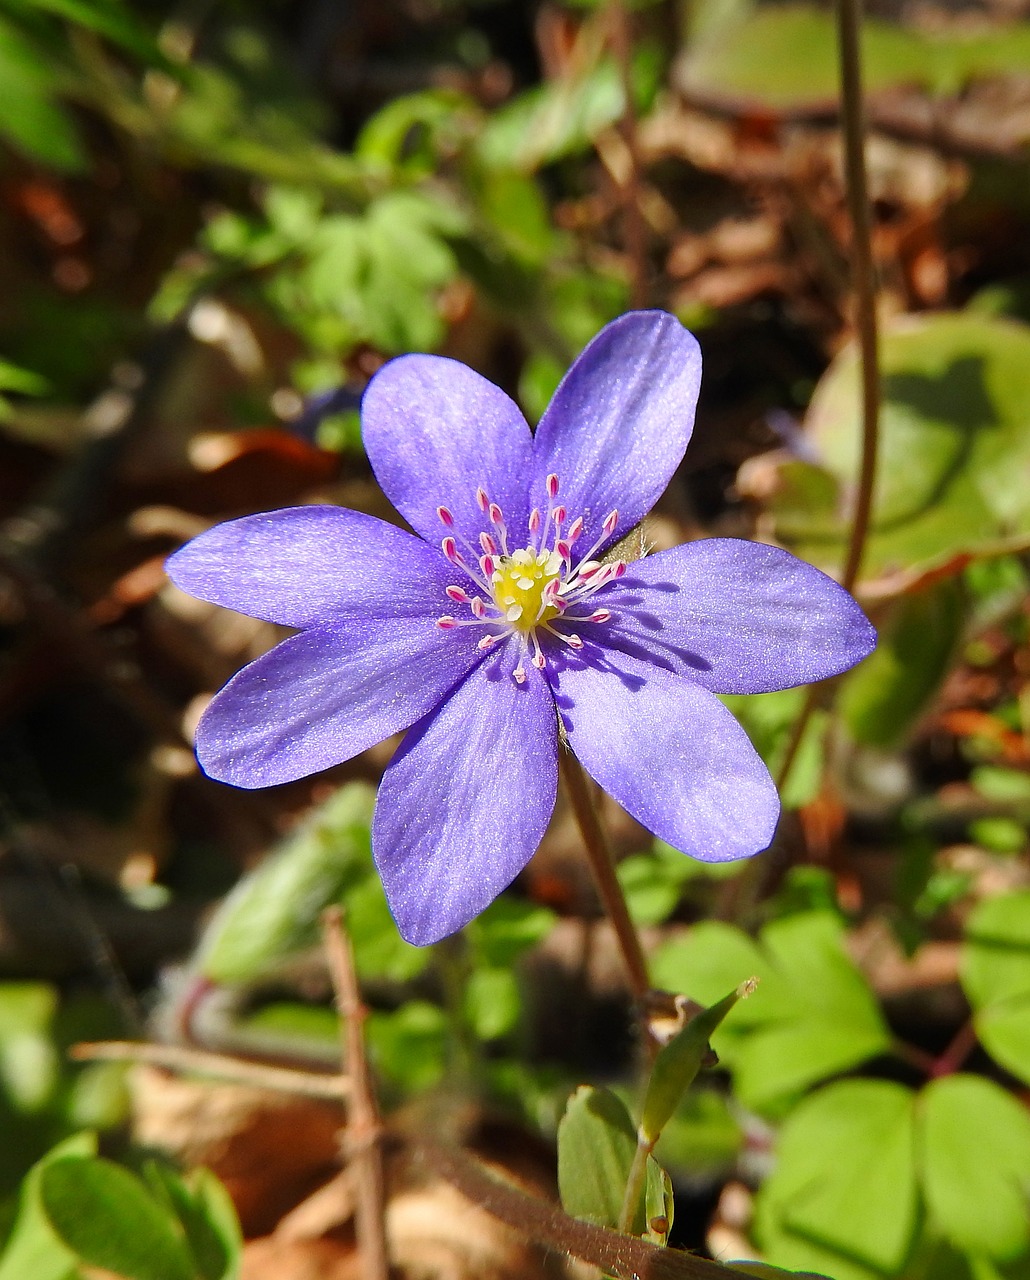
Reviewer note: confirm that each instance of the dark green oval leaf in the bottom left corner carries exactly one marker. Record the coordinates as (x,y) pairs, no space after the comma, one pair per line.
(109,1220)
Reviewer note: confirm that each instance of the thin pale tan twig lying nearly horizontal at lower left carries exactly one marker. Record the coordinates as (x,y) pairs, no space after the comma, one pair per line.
(219,1067)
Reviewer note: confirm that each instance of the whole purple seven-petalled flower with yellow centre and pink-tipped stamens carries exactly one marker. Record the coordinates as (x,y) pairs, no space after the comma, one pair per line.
(506,623)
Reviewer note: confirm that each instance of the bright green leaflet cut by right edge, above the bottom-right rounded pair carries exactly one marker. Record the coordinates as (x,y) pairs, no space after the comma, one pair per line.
(996,976)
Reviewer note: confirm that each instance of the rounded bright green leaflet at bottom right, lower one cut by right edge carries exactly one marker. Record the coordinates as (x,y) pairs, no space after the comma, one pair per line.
(976,1154)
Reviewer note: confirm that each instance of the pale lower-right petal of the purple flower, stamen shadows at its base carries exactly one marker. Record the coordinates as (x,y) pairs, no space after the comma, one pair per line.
(670,753)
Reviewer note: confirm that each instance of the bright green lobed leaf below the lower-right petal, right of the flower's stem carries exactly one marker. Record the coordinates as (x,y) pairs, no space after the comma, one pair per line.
(813,1016)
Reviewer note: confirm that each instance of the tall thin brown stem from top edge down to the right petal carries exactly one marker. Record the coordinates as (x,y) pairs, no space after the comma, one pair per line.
(849,28)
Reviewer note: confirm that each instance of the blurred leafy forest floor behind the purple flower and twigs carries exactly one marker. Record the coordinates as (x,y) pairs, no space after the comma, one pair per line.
(217,221)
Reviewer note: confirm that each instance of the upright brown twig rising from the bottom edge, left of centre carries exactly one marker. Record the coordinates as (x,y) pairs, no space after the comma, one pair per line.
(364,1127)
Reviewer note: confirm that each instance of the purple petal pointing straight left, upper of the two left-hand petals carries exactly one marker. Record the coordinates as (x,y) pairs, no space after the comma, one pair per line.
(305,566)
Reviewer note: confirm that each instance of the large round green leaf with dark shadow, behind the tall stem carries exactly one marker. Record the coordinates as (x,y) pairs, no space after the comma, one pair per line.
(954,451)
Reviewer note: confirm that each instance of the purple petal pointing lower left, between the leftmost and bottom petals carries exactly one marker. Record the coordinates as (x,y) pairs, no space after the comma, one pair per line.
(326,696)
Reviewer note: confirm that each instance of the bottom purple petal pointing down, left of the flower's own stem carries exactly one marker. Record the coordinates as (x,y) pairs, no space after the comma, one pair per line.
(466,801)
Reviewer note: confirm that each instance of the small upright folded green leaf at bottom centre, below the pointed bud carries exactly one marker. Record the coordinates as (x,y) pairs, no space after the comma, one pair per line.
(597,1141)
